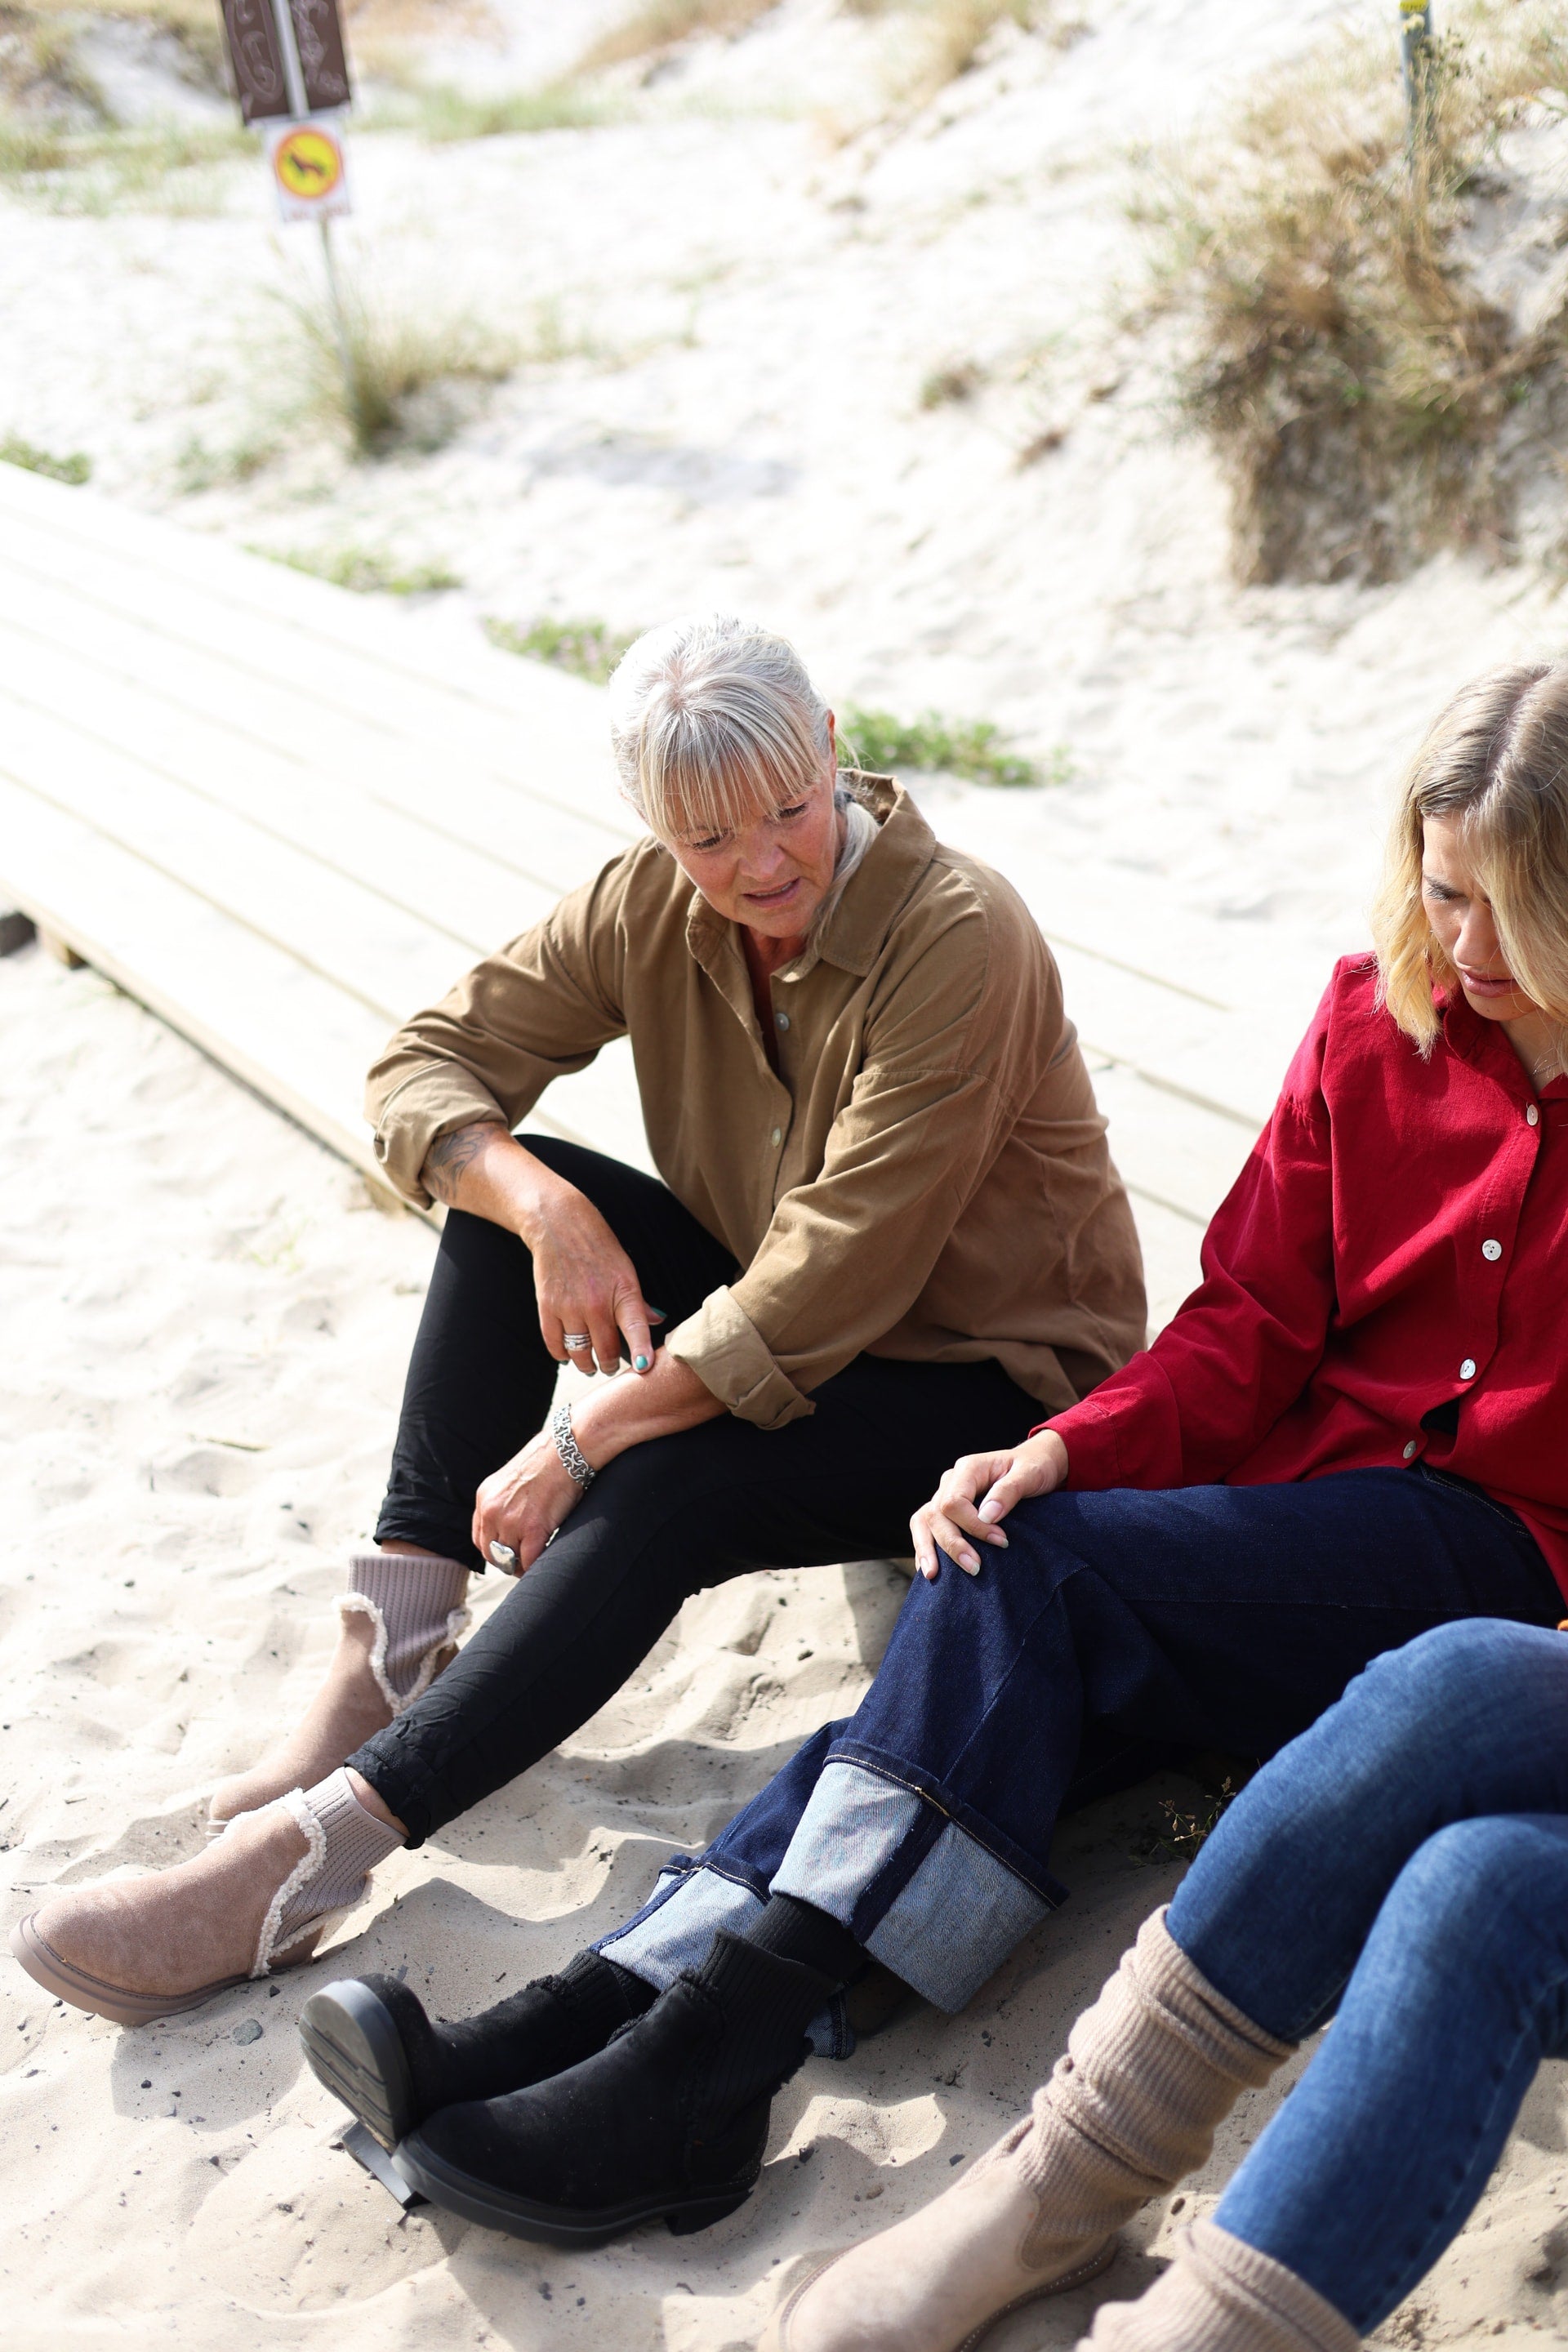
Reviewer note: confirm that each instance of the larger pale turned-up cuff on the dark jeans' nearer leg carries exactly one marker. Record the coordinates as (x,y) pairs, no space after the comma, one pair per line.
(892,1859)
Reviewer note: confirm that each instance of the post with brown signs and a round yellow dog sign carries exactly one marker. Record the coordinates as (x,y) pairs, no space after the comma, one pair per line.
(293,81)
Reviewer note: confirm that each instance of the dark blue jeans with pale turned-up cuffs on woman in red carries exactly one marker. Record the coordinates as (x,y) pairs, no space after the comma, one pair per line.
(1118,1626)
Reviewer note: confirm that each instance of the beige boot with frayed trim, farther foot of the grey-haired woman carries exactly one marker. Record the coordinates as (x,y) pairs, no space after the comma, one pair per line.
(401,1624)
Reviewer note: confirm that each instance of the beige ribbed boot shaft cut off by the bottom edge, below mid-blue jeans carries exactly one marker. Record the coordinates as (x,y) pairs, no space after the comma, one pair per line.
(1221,2297)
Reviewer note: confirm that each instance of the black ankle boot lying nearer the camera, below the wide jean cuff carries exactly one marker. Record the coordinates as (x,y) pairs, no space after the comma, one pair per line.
(669,2123)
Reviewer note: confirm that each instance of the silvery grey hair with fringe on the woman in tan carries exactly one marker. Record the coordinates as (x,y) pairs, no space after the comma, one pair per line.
(713,723)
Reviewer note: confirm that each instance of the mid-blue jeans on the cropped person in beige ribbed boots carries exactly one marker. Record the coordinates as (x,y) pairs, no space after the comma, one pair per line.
(1407,1864)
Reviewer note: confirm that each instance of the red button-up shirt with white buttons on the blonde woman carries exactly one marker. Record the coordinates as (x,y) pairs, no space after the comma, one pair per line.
(1398,1243)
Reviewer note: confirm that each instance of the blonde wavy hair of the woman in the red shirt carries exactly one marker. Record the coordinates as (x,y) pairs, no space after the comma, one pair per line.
(1499,761)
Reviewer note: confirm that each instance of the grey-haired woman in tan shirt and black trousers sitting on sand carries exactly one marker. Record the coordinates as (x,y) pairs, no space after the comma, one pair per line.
(887,1229)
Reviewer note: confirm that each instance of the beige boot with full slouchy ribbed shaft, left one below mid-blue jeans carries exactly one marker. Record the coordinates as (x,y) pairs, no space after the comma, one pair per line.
(1134,2106)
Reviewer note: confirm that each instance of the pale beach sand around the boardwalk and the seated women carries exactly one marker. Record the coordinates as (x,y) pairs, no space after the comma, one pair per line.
(208,1318)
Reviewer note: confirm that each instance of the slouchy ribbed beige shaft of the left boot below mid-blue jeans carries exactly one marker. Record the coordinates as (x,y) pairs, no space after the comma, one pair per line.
(1134,2104)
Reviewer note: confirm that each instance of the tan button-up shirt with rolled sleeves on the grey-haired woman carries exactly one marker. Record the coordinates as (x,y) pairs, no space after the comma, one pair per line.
(925,1177)
